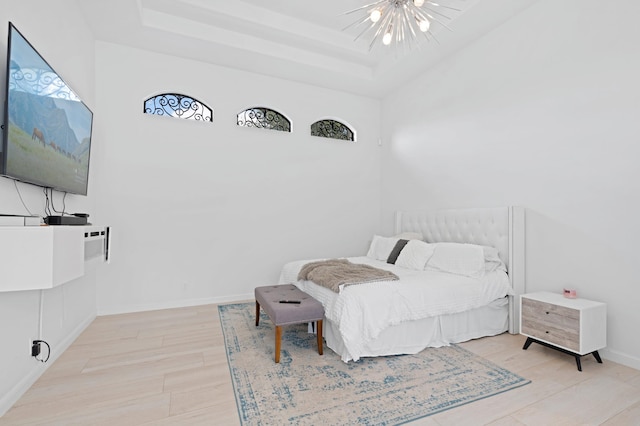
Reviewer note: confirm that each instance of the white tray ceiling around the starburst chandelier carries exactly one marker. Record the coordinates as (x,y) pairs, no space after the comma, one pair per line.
(299,40)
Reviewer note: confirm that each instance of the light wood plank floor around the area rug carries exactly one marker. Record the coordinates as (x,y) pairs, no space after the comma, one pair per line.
(169,367)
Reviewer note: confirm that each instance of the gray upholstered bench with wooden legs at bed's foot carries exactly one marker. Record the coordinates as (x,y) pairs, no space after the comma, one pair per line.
(273,301)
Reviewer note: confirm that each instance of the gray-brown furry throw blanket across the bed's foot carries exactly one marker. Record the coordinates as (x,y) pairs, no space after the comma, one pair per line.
(333,273)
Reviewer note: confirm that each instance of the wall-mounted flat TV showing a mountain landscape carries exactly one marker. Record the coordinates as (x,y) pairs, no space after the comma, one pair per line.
(47,132)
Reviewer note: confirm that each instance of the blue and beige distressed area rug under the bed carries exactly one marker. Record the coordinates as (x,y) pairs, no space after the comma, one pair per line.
(308,389)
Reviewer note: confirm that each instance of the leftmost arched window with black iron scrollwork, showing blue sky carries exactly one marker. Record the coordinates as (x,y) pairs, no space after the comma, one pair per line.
(178,106)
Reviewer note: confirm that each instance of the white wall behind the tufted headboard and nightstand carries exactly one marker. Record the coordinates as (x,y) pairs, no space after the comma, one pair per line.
(544,113)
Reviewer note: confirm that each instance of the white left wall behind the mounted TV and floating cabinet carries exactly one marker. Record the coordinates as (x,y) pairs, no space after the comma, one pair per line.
(60,35)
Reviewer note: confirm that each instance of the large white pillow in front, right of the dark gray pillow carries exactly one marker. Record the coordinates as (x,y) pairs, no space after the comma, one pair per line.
(455,258)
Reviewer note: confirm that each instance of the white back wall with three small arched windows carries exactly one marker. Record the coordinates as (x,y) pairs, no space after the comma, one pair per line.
(205,212)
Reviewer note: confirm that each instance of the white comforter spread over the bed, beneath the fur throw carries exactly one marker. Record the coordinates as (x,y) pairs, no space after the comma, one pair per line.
(363,311)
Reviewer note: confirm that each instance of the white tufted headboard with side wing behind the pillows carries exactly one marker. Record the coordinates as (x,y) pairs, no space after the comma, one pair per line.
(502,228)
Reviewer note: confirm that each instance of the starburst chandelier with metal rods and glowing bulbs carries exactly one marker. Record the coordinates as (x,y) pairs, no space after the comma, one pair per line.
(399,21)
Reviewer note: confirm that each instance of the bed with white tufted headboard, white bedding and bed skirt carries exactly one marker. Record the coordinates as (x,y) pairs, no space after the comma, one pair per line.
(448,300)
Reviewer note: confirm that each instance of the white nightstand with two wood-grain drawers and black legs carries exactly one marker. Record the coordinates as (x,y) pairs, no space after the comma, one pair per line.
(574,326)
